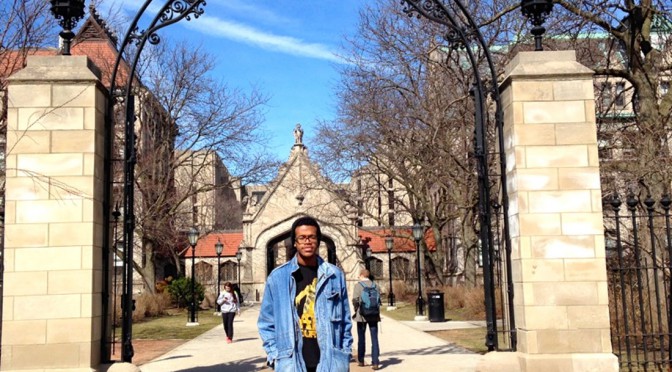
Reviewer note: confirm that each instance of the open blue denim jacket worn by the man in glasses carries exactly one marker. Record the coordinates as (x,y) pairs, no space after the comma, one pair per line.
(278,321)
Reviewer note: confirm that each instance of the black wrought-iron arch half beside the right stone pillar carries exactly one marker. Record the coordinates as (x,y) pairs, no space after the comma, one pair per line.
(463,32)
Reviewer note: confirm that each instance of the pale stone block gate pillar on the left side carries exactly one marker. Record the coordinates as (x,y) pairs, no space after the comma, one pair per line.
(53,225)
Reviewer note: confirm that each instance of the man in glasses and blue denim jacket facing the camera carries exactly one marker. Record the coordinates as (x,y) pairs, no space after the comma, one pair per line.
(304,320)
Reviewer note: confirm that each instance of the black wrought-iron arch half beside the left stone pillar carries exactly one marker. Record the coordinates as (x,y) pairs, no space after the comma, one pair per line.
(172,11)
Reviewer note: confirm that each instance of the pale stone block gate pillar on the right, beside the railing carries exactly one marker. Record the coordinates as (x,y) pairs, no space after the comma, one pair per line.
(559,268)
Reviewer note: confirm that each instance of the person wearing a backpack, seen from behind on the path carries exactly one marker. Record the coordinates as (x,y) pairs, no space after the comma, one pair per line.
(366,301)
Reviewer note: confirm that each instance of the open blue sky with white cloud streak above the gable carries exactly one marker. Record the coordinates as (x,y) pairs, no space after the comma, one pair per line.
(286,48)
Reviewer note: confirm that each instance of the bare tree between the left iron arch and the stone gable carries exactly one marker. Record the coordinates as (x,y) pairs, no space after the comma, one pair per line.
(195,116)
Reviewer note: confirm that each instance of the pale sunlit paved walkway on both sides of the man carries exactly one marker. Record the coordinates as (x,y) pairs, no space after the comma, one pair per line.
(403,347)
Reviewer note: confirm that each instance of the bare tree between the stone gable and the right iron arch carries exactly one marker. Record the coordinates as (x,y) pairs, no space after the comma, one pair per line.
(402,108)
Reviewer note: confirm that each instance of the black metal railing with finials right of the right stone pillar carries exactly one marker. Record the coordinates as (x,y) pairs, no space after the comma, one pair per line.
(638,252)
